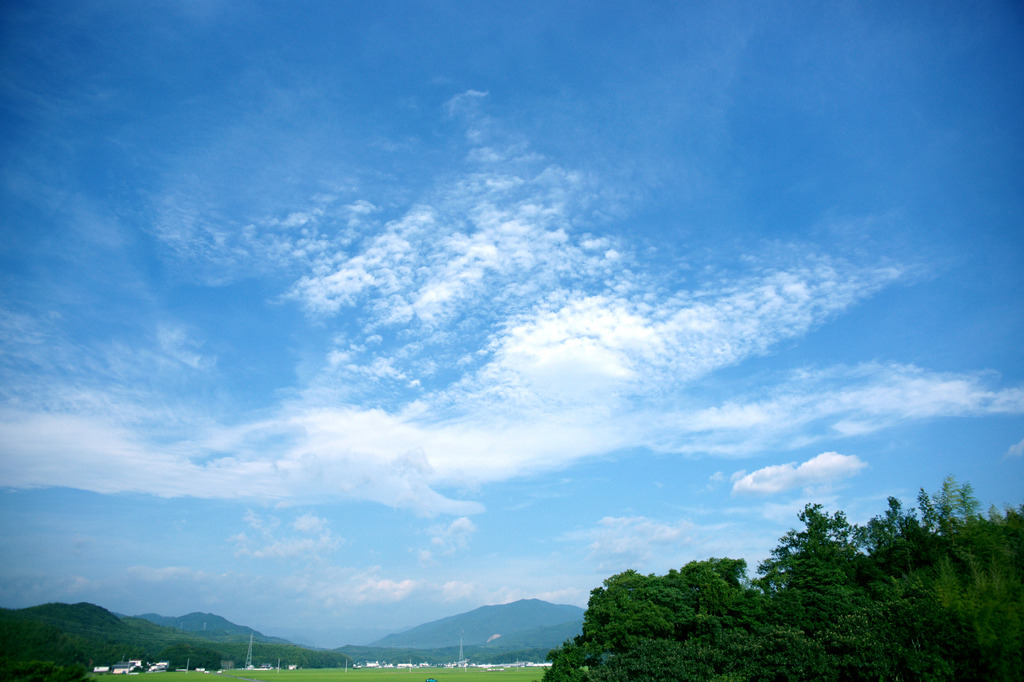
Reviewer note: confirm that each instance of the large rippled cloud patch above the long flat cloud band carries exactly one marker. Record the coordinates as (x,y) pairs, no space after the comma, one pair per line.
(494,283)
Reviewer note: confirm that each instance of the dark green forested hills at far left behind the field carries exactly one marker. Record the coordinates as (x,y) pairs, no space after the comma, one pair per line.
(90,635)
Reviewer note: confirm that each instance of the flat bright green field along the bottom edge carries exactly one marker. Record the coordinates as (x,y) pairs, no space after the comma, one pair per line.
(367,675)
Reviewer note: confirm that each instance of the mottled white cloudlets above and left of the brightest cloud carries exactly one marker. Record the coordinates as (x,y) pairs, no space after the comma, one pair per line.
(500,234)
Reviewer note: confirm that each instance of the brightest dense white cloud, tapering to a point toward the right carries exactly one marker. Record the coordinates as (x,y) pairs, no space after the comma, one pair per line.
(607,345)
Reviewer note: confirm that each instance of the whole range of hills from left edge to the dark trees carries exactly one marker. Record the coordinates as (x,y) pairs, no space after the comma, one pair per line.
(86,634)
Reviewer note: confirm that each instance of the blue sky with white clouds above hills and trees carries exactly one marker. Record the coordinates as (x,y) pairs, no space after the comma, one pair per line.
(334,319)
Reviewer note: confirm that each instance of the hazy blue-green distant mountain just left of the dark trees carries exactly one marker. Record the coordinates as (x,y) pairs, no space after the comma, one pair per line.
(525,623)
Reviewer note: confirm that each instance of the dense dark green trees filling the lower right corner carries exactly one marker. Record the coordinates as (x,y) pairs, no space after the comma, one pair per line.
(931,593)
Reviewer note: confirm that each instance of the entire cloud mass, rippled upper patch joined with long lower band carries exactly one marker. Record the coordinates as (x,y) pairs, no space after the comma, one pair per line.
(486,330)
